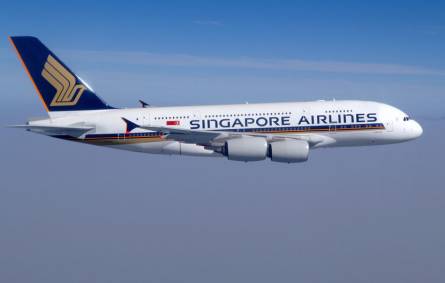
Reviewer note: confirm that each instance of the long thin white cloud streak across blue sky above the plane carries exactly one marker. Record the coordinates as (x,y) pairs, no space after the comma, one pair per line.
(183,60)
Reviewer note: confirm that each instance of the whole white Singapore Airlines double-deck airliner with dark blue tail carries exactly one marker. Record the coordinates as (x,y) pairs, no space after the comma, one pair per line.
(282,132)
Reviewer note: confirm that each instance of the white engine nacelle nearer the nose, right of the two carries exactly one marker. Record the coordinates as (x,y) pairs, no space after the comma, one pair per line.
(289,151)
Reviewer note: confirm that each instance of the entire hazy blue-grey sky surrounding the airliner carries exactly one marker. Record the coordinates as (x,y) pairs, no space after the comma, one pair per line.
(76,213)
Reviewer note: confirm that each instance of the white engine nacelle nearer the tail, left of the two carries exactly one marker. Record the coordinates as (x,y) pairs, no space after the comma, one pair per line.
(246,149)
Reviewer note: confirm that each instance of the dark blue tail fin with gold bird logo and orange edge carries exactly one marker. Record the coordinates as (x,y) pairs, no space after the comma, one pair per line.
(58,87)
